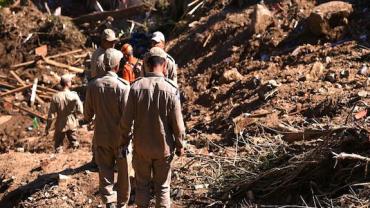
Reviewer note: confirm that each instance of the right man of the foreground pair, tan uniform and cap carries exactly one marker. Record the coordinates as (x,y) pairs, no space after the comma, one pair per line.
(154,110)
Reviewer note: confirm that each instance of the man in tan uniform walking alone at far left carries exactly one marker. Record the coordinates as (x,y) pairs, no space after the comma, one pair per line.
(66,105)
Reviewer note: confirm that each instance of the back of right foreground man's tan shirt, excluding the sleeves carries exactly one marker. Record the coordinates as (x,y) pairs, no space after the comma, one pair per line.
(154,97)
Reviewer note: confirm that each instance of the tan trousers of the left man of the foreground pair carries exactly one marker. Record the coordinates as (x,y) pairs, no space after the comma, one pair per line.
(106,158)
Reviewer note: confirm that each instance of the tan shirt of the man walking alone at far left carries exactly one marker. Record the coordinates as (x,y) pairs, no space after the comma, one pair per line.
(65,105)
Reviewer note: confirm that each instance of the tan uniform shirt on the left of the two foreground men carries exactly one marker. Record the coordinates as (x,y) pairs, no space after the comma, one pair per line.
(106,98)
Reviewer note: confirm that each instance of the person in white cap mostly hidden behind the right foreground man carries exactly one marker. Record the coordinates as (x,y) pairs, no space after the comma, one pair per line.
(158,40)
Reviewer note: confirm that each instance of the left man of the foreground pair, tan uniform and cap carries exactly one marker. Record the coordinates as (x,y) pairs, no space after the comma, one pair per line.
(106,98)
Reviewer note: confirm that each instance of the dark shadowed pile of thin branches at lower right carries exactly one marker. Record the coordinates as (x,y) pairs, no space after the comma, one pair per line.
(335,164)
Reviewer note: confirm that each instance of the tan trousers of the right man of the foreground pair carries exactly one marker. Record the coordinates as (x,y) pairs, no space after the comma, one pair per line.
(161,169)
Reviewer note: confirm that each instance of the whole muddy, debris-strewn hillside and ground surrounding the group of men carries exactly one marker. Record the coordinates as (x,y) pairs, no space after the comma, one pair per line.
(275,97)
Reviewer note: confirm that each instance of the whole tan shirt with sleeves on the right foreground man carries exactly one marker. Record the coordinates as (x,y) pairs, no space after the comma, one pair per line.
(154,108)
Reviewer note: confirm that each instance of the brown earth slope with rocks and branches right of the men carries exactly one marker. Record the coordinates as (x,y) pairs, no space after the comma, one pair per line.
(270,107)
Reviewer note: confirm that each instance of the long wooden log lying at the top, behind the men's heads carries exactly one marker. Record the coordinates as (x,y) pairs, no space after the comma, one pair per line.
(118,14)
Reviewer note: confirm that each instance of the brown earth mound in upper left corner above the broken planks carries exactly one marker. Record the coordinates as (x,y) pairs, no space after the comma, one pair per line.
(22,29)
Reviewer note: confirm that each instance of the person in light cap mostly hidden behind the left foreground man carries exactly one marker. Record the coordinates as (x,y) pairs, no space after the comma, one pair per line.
(108,40)
